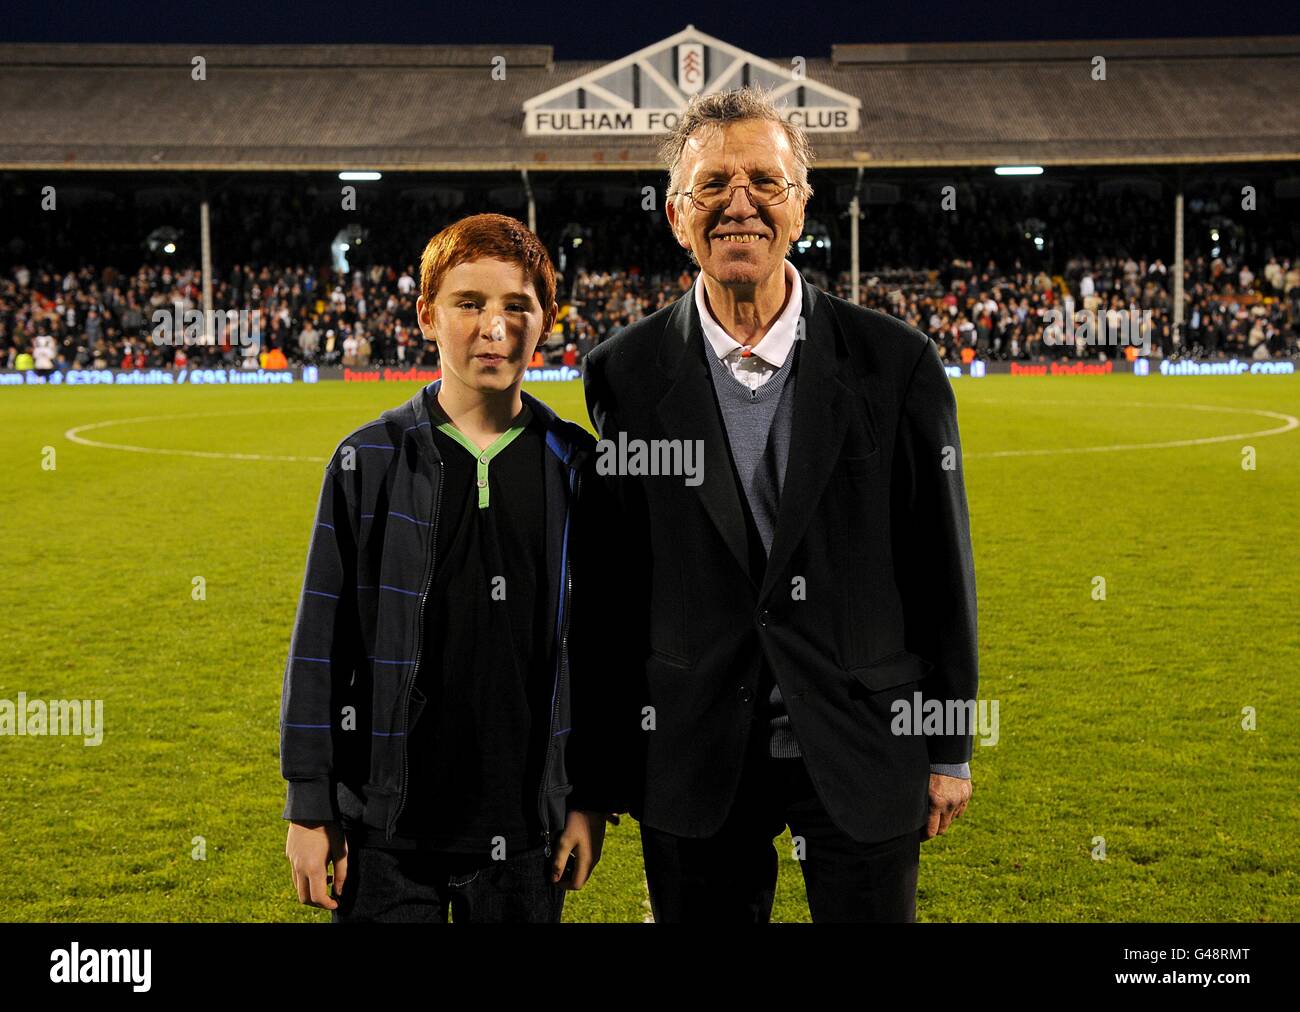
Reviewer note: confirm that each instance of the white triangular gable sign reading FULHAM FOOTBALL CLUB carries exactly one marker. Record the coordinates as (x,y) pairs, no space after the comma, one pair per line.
(647,92)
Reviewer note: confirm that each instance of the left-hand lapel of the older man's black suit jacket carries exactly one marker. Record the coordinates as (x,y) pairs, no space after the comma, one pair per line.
(690,412)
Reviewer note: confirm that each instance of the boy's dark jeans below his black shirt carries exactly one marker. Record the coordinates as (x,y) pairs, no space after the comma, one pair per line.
(419,886)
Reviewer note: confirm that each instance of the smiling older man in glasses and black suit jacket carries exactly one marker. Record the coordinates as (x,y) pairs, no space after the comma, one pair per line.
(791,612)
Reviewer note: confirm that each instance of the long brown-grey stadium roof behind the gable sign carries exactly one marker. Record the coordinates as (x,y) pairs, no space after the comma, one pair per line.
(441,109)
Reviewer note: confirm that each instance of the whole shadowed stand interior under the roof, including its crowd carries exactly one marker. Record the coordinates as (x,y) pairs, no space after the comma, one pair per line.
(291,306)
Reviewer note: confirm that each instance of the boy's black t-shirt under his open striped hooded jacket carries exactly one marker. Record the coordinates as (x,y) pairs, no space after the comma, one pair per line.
(476,751)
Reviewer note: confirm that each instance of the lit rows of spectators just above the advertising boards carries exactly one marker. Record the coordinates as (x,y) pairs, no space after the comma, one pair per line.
(288,315)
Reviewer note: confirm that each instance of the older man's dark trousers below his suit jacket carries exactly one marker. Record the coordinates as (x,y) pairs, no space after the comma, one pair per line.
(731,877)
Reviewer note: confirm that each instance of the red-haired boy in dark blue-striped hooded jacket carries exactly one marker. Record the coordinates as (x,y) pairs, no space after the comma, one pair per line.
(427,719)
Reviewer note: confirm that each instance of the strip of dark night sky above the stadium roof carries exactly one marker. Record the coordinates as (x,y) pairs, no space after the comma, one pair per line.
(592,31)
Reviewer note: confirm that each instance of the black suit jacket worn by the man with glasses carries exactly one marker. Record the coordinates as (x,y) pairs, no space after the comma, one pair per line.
(868,596)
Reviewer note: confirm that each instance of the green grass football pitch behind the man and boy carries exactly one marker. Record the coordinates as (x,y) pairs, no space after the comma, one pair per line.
(1120,719)
